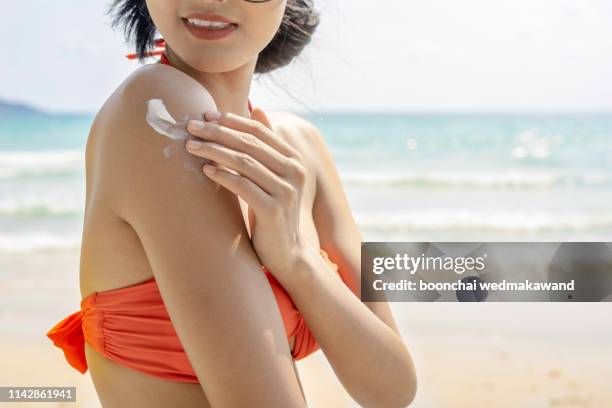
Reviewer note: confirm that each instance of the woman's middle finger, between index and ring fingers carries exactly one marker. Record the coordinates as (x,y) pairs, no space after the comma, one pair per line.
(245,143)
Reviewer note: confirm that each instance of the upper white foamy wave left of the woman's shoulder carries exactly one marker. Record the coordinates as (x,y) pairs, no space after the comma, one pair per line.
(26,163)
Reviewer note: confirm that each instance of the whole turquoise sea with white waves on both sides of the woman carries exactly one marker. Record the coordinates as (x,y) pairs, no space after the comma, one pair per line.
(408,177)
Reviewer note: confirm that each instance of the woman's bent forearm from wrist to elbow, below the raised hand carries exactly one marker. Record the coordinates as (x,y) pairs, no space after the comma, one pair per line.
(369,358)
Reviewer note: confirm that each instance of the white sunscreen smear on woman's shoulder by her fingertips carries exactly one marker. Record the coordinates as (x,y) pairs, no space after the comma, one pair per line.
(163,123)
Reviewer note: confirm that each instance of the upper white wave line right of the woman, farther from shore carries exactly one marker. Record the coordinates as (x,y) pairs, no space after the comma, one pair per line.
(474,179)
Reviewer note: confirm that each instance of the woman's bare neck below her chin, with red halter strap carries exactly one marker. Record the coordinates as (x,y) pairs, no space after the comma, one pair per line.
(230,90)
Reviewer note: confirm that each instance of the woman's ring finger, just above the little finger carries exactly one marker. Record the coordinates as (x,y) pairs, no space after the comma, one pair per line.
(246,166)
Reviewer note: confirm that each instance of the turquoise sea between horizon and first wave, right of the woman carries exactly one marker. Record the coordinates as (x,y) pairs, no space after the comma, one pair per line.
(576,149)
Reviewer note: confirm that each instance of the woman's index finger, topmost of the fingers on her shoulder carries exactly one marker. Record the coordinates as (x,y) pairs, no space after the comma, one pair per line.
(255,128)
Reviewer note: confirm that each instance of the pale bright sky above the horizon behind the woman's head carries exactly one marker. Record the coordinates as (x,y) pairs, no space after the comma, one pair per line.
(396,55)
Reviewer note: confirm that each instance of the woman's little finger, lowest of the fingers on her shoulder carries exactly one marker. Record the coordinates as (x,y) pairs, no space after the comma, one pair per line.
(256,198)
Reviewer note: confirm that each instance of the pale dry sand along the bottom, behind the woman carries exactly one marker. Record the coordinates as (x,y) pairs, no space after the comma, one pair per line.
(475,372)
